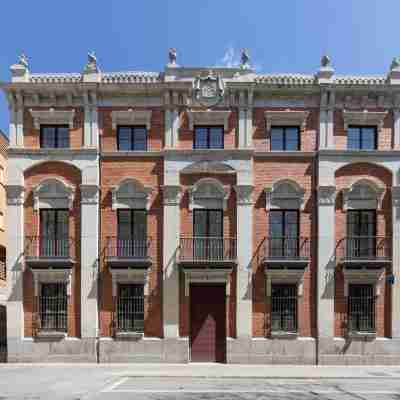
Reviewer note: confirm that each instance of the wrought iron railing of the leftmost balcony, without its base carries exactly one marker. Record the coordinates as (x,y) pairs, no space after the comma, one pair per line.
(42,248)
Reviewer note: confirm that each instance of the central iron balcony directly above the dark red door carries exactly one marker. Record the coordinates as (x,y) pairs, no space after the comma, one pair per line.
(205,251)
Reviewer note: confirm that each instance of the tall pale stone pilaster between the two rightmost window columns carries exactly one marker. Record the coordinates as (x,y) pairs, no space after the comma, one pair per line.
(326,260)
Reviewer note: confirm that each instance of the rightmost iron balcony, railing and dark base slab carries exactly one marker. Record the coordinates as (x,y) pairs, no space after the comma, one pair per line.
(365,251)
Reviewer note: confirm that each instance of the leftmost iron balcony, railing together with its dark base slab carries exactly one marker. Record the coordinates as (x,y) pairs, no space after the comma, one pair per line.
(42,252)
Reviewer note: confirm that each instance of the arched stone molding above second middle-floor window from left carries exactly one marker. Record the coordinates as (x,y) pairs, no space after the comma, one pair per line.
(131,193)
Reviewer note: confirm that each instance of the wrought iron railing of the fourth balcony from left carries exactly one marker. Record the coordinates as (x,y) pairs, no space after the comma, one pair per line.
(286,249)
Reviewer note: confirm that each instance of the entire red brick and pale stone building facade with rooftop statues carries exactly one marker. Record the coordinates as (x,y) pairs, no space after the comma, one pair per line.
(203,214)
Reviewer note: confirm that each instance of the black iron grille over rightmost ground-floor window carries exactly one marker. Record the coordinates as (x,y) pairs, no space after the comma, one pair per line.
(361,308)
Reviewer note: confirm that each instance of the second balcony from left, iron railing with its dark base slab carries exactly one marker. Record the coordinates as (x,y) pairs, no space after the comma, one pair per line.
(128,253)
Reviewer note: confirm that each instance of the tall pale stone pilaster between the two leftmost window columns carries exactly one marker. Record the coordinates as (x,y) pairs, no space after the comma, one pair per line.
(89,259)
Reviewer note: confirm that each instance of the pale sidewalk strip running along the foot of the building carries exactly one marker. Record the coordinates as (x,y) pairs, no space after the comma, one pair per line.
(209,370)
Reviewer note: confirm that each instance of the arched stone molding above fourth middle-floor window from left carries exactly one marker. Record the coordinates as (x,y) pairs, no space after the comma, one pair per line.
(284,193)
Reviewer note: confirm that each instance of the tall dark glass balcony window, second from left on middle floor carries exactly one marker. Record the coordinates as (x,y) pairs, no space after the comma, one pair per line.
(132,233)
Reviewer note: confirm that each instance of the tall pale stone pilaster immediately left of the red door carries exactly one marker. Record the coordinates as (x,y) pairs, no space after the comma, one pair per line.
(171,228)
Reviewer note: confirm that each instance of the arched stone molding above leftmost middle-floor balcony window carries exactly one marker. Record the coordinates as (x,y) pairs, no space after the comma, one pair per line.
(53,193)
